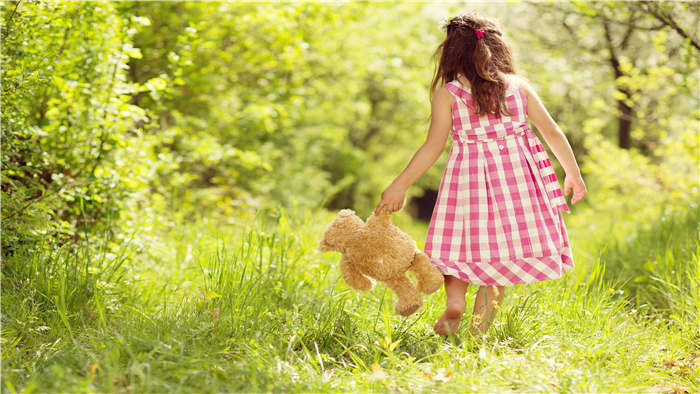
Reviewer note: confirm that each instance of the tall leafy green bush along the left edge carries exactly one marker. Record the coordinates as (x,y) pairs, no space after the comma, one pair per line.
(65,114)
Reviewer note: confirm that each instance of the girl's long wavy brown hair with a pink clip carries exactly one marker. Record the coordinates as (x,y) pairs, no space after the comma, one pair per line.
(483,61)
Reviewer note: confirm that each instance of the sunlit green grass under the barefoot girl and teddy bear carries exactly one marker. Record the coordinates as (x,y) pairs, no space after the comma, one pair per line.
(253,306)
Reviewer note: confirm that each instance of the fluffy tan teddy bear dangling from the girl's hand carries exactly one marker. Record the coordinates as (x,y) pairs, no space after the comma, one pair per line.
(379,250)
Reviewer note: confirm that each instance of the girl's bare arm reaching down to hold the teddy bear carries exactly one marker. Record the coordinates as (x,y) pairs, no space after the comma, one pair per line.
(394,196)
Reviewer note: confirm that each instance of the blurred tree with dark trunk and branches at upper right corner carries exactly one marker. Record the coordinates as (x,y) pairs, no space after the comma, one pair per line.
(625,29)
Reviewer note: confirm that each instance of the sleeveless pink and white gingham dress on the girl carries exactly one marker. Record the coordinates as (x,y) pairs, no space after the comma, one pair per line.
(497,218)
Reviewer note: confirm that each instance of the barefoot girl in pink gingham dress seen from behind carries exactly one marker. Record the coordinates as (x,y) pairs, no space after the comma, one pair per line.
(497,220)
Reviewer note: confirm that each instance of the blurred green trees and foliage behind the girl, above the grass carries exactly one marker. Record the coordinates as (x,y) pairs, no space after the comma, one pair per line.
(118,111)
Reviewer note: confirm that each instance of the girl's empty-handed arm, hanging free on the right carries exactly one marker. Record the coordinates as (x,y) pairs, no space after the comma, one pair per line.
(557,141)
